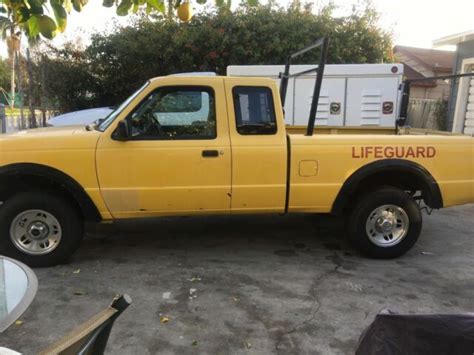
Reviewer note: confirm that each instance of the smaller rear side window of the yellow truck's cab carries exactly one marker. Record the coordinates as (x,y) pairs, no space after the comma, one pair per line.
(254,110)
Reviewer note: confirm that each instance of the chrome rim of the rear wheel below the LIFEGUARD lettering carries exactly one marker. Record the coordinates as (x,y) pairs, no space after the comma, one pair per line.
(387,225)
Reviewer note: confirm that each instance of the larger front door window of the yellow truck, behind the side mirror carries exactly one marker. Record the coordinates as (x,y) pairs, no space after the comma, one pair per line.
(174,113)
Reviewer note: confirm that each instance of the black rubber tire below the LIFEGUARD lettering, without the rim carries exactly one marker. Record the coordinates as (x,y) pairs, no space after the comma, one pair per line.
(364,208)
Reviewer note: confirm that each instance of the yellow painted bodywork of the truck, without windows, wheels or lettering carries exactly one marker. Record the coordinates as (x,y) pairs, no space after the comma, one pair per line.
(153,178)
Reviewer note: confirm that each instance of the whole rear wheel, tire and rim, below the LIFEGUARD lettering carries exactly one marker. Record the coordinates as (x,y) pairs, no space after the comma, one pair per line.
(385,223)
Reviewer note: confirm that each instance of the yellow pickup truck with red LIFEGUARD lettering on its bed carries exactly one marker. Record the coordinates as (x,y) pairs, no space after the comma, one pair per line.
(189,145)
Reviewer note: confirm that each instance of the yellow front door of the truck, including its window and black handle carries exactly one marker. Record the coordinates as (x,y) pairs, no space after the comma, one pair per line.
(177,159)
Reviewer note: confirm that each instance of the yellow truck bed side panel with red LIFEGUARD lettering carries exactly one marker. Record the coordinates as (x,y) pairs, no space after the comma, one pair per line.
(321,164)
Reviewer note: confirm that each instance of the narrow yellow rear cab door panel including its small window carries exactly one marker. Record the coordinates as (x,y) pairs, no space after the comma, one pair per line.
(259,148)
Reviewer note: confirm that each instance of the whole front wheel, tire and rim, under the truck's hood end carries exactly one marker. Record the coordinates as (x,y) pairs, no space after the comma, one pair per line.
(39,228)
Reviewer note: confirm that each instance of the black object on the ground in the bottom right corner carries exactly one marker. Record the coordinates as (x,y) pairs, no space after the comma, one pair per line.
(391,333)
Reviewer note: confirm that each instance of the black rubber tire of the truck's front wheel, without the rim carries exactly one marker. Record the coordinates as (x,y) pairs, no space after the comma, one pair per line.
(69,219)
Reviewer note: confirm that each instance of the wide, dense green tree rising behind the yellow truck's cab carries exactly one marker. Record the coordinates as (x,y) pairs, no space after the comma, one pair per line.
(125,59)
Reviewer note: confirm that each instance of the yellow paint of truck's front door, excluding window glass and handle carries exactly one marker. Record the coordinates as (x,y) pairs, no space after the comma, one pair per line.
(158,177)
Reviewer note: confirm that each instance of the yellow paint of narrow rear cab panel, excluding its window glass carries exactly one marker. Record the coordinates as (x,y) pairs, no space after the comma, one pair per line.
(258,162)
